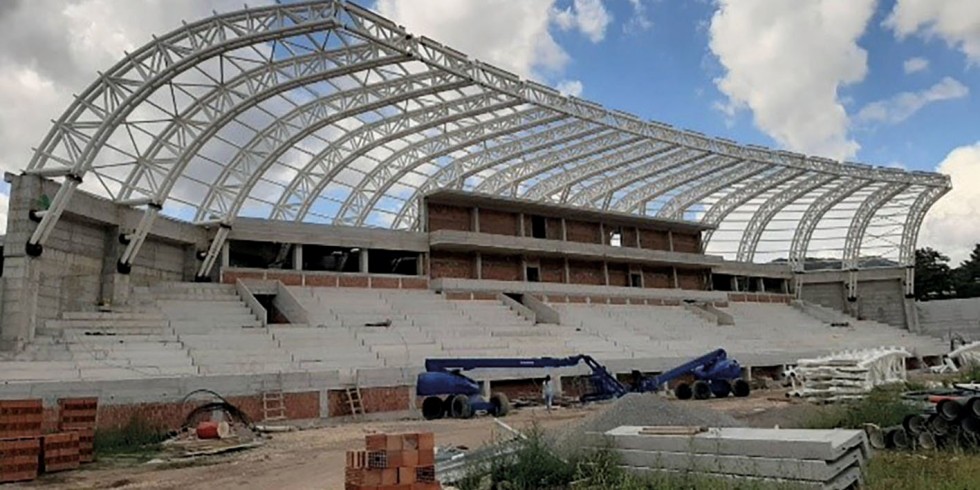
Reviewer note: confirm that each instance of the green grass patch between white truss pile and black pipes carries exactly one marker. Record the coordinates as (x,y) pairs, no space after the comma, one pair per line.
(884,406)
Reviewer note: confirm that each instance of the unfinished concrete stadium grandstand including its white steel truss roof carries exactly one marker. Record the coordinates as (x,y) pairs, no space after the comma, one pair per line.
(305,198)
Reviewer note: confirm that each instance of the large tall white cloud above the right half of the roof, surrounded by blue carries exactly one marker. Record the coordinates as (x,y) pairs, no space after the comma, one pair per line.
(786,61)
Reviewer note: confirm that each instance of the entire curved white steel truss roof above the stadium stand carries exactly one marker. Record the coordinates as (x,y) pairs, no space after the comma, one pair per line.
(327,112)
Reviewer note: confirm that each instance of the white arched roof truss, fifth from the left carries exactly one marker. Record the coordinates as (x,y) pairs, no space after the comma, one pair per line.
(395,167)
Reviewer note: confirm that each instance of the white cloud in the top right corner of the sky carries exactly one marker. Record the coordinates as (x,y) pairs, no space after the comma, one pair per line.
(955,21)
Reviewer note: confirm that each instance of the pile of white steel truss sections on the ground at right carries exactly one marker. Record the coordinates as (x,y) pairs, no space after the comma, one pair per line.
(847,375)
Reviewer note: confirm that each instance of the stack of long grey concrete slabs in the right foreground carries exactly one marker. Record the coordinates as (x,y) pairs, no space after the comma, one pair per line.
(824,459)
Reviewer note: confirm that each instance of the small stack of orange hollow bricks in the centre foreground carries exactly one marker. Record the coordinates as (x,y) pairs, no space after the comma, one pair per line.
(393,462)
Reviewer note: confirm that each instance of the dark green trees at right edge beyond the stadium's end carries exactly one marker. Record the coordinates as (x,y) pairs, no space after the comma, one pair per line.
(935,279)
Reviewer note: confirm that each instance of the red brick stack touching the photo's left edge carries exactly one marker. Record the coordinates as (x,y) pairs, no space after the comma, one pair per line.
(20,445)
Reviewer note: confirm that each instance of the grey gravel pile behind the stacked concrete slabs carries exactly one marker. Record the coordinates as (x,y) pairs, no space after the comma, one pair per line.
(646,409)
